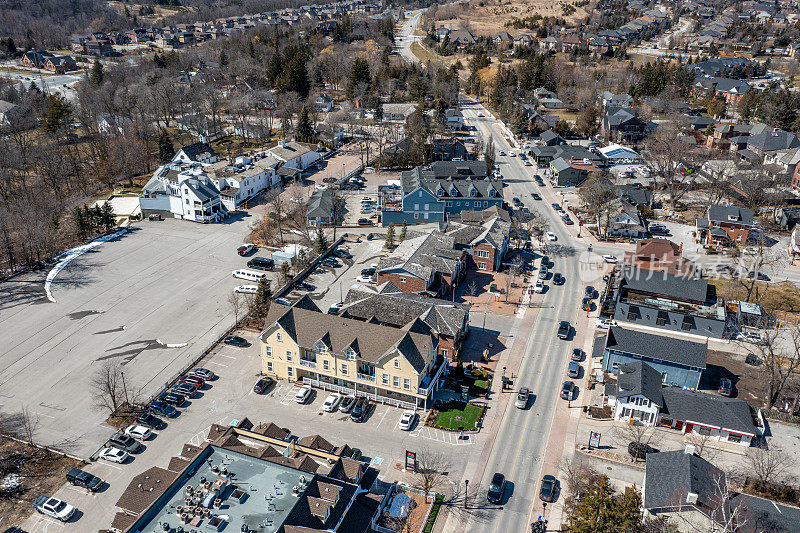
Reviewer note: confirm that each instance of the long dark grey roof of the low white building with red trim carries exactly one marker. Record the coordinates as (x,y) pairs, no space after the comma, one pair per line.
(707,409)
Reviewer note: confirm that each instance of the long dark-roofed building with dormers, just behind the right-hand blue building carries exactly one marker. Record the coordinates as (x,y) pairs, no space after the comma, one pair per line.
(657,298)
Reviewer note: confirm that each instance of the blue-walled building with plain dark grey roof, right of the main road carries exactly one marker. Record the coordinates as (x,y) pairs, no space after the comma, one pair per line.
(680,362)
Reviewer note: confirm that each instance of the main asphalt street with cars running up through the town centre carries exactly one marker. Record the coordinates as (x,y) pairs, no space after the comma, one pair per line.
(520,444)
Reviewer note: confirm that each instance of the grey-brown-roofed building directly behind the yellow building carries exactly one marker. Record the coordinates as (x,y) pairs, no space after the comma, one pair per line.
(388,305)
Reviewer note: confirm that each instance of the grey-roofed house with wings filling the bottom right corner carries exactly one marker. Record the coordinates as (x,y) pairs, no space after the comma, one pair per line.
(686,488)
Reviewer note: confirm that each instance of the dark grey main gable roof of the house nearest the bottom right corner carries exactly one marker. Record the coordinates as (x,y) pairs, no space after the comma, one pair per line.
(671,475)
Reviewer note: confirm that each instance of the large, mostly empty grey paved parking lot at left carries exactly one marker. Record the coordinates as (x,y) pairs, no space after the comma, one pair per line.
(162,284)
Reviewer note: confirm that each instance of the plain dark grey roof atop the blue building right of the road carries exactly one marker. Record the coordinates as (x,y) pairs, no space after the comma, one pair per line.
(670,349)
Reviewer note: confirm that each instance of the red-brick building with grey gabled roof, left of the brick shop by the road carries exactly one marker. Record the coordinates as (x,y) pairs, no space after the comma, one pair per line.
(429,265)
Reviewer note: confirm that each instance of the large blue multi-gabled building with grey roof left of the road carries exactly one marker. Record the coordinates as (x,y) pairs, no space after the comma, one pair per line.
(436,192)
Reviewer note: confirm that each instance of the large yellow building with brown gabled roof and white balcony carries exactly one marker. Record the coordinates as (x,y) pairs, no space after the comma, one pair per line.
(399,366)
